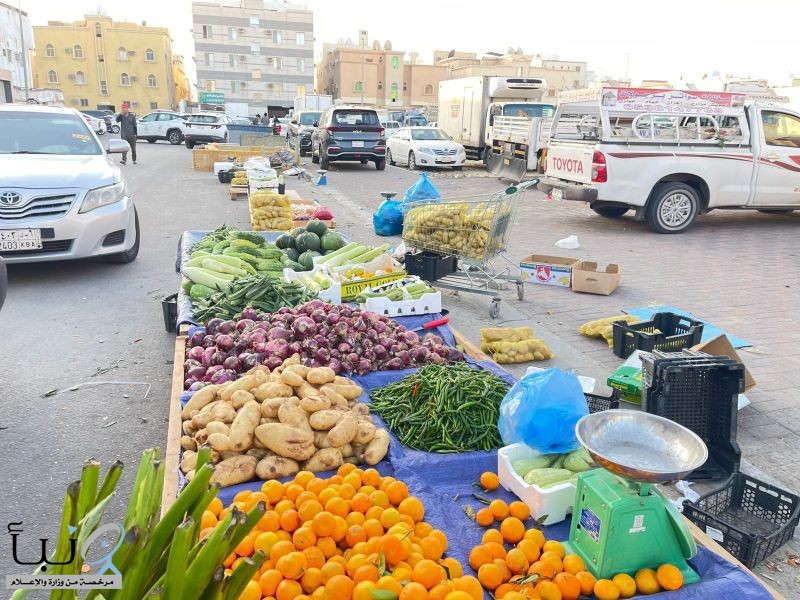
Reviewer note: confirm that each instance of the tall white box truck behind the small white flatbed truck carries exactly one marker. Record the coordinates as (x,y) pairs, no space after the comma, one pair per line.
(469,106)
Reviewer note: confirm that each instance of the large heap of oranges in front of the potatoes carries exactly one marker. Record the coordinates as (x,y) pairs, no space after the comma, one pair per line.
(343,538)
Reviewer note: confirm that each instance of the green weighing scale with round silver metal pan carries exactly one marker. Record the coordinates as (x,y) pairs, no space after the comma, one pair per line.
(620,522)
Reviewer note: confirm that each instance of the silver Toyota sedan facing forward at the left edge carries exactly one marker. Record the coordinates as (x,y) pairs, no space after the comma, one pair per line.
(61,195)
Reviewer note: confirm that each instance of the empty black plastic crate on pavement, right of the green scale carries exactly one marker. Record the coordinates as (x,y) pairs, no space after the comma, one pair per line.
(754,518)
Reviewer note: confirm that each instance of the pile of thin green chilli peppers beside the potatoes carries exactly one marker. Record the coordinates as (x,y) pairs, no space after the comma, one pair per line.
(443,408)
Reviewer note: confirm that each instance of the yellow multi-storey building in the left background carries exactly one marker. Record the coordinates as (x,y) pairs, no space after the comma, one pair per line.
(101,64)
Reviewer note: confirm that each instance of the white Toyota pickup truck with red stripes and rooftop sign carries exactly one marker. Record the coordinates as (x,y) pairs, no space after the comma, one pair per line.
(671,154)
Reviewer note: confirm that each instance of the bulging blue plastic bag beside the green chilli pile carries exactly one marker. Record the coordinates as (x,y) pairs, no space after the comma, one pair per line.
(541,410)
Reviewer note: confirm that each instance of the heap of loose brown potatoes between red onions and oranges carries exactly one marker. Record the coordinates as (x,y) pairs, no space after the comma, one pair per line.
(274,424)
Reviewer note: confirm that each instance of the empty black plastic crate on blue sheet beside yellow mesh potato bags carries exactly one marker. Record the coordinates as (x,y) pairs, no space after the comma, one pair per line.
(675,332)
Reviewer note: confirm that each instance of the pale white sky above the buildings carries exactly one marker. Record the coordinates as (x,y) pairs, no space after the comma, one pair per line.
(685,38)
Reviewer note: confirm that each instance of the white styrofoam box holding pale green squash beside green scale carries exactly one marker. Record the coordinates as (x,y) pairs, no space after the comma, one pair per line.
(556,502)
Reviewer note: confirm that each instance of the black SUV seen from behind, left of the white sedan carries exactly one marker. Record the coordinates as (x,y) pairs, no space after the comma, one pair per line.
(349,133)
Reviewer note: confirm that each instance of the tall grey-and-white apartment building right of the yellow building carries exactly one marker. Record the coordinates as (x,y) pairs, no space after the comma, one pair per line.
(253,52)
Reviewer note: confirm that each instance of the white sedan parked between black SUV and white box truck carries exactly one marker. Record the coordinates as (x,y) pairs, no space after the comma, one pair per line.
(424,147)
